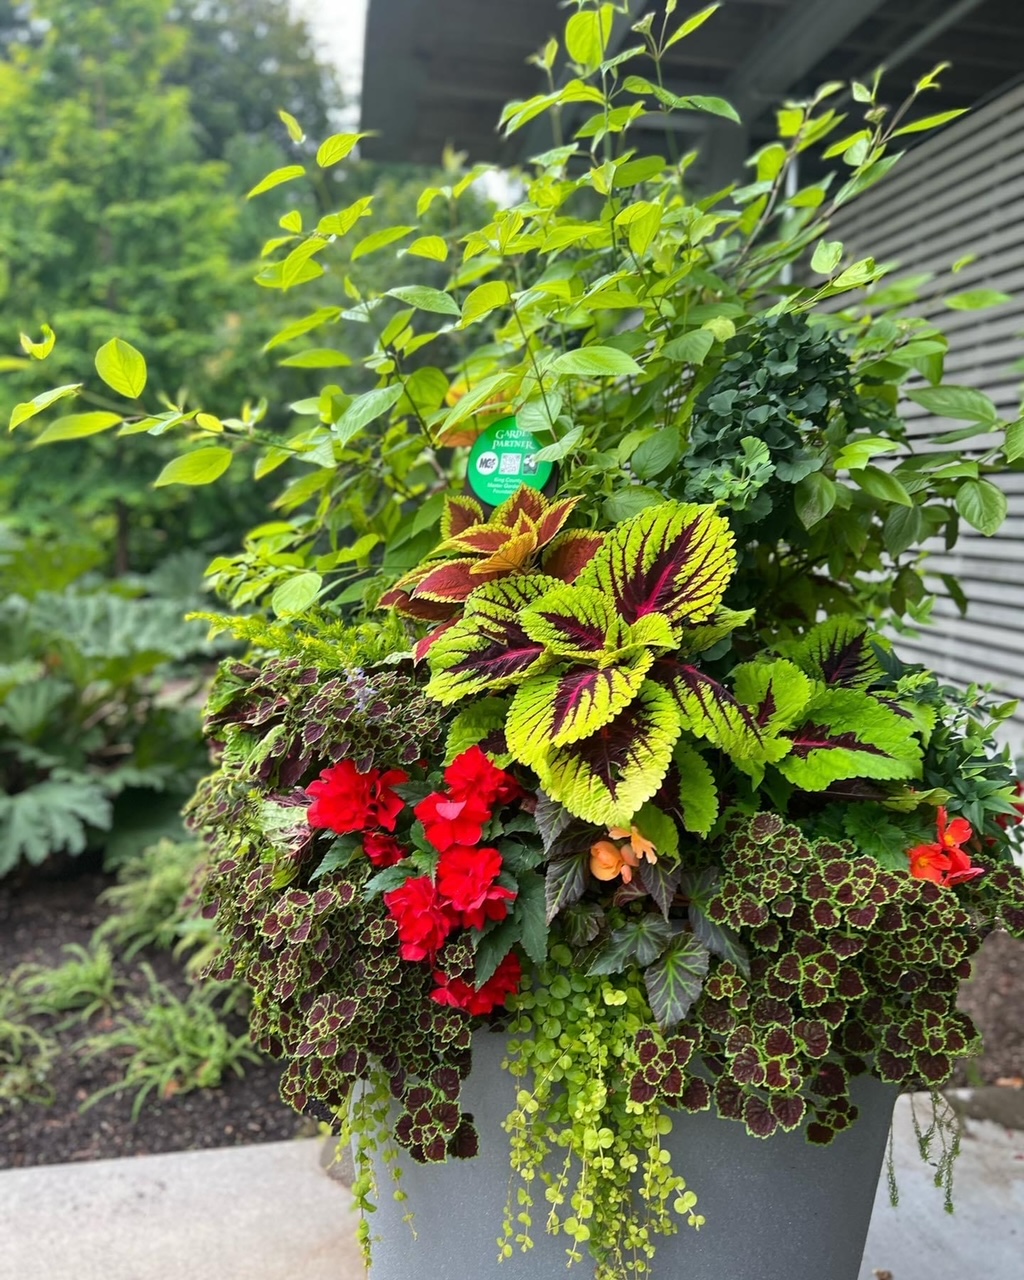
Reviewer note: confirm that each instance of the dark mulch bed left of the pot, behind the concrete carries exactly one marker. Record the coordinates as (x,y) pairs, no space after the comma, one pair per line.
(35,922)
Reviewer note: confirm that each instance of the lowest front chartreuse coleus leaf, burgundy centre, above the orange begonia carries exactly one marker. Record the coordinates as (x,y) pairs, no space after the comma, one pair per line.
(606,778)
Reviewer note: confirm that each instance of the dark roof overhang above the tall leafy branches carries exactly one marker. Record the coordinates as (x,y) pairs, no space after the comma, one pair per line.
(437,72)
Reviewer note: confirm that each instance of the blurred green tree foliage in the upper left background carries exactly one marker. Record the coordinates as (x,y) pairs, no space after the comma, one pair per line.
(121,213)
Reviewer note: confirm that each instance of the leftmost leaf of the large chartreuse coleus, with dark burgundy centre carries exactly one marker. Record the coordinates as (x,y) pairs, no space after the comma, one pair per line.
(488,648)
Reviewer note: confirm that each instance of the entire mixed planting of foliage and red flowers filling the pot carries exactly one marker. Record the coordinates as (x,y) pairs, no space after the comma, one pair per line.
(583,715)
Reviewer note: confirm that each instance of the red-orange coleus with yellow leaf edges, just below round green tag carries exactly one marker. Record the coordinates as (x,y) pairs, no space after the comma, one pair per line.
(525,533)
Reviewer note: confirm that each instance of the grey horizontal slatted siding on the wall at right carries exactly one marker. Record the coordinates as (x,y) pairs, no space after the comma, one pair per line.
(957,194)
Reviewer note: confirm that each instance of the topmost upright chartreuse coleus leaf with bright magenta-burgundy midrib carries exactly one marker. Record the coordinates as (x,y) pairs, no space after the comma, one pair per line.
(675,559)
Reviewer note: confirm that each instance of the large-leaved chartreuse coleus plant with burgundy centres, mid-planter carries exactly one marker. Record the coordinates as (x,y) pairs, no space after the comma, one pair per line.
(607,680)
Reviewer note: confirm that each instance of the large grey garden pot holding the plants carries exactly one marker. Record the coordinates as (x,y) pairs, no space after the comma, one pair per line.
(776,1210)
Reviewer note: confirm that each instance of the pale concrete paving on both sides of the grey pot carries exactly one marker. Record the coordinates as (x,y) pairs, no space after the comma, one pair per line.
(269,1213)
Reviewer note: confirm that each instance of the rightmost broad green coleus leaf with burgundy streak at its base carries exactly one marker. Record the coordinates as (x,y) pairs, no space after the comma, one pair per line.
(848,734)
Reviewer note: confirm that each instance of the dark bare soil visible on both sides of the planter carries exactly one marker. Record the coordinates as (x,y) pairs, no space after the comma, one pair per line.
(39,920)
